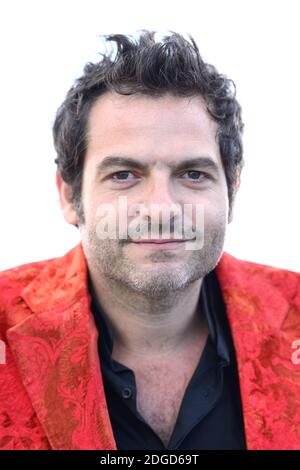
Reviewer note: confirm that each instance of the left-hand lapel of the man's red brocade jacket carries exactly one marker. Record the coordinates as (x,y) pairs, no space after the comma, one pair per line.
(55,347)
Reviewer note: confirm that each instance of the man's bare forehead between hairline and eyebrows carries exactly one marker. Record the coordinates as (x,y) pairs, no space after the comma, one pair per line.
(150,126)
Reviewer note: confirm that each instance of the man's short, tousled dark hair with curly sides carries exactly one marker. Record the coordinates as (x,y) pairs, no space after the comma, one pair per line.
(172,65)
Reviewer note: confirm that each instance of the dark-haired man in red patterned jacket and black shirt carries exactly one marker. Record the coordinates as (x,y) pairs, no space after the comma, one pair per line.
(136,342)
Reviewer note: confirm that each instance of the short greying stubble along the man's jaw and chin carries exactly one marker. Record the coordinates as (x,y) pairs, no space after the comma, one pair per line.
(164,273)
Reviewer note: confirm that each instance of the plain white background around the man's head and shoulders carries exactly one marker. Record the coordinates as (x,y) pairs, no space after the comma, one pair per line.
(44,46)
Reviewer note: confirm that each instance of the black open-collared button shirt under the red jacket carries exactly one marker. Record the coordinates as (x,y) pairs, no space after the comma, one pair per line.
(210,416)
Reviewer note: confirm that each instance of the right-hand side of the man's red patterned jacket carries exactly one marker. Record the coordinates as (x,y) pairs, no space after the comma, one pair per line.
(256,310)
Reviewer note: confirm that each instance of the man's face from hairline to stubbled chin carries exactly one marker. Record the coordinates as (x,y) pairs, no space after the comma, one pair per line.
(159,133)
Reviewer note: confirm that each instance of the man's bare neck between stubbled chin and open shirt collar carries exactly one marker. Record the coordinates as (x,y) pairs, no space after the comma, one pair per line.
(143,326)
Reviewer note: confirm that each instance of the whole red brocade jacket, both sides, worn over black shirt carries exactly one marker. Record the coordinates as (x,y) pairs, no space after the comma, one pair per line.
(51,389)
